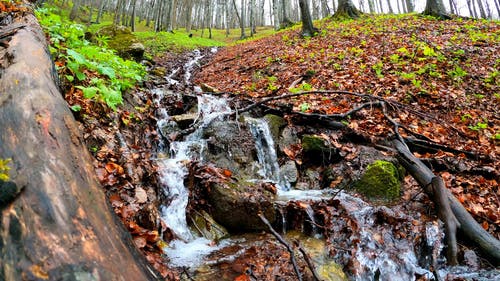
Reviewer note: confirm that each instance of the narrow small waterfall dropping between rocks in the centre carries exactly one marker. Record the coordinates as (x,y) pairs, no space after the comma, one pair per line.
(266,153)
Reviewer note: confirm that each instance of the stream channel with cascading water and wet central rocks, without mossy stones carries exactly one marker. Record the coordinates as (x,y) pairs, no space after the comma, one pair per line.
(346,237)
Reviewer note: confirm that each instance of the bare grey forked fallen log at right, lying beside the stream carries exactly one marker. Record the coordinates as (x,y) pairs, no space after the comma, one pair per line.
(435,188)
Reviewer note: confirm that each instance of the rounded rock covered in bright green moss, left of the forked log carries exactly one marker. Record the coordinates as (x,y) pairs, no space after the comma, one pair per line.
(380,182)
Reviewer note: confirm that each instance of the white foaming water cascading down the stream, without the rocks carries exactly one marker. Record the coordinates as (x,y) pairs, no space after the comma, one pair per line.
(379,255)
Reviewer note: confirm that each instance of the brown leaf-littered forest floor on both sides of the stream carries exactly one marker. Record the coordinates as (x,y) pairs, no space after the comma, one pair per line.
(441,79)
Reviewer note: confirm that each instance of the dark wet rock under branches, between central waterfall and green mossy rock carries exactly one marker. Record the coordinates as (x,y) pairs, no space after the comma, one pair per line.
(317,150)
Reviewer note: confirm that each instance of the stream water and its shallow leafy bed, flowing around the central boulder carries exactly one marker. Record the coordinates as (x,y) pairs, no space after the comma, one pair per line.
(363,241)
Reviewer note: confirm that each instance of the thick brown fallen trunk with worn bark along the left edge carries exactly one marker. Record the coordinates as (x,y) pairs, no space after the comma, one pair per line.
(60,227)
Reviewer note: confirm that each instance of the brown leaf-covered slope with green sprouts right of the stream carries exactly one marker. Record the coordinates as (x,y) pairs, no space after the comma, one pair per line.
(441,77)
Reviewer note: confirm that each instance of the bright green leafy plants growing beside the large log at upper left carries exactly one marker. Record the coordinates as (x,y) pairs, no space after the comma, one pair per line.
(80,58)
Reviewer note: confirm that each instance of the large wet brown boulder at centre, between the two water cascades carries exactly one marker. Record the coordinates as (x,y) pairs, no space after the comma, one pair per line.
(236,205)
